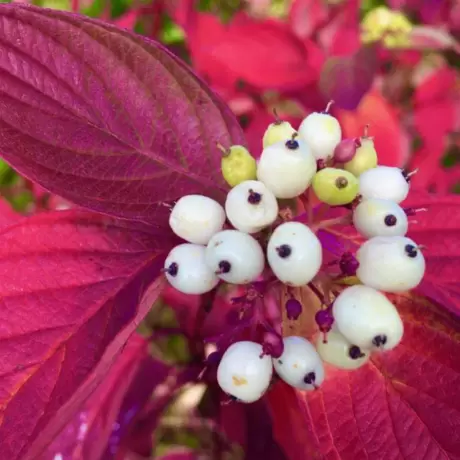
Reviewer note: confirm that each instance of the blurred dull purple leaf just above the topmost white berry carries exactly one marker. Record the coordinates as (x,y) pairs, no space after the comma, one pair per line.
(347,79)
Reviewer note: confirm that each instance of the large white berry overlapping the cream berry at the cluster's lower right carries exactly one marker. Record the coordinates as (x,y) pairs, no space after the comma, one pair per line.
(367,319)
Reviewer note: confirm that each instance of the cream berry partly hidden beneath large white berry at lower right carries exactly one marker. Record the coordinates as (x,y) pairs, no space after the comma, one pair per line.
(339,352)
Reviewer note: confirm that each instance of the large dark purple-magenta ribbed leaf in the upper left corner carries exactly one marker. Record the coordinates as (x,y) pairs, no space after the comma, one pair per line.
(104,118)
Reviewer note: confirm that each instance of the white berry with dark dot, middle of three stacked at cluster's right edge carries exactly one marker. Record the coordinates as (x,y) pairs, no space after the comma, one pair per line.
(376,217)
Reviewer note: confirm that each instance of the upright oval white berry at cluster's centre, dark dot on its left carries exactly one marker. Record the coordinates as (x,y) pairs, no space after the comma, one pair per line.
(294,253)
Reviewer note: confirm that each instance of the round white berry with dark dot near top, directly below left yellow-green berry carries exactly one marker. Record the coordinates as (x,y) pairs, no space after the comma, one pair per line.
(251,206)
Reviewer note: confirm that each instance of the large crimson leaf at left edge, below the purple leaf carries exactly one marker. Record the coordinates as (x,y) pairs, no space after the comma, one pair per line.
(71,294)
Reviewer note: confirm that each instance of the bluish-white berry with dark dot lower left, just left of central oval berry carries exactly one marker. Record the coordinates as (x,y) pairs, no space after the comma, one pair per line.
(236,255)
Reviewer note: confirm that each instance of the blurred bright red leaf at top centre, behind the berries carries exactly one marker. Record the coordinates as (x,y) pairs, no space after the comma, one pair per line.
(263,54)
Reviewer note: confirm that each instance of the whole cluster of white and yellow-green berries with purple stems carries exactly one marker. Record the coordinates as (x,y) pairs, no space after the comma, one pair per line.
(232,244)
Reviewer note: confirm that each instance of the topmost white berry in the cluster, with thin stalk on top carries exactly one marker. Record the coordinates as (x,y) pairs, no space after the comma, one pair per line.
(322,133)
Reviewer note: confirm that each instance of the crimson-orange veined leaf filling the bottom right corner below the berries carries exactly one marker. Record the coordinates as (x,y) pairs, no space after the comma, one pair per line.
(403,404)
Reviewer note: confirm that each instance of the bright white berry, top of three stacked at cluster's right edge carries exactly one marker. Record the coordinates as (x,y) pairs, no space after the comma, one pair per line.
(384,182)
